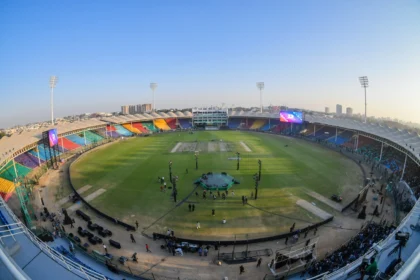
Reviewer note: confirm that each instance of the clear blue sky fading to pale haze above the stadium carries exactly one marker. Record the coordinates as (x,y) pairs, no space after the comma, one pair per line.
(309,54)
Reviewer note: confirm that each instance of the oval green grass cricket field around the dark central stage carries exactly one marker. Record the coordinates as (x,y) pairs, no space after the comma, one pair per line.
(128,171)
